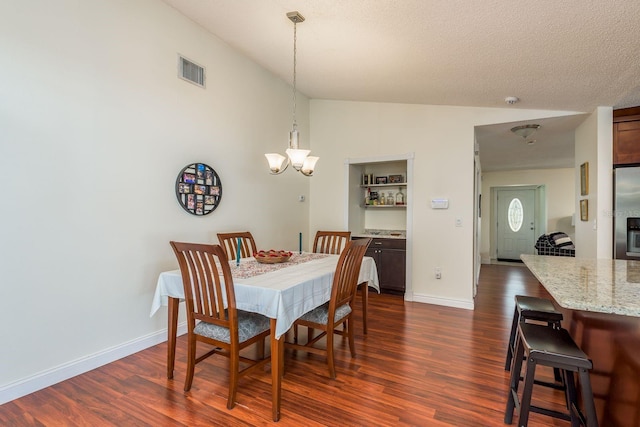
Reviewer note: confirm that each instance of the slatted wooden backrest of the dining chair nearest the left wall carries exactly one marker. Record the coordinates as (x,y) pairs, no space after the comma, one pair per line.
(208,285)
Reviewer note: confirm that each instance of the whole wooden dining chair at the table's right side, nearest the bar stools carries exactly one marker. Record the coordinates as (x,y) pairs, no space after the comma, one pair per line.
(337,310)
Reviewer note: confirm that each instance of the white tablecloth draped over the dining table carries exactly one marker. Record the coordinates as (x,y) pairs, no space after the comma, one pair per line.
(285,294)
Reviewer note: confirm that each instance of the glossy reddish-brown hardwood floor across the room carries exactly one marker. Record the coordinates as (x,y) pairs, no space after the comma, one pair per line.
(419,365)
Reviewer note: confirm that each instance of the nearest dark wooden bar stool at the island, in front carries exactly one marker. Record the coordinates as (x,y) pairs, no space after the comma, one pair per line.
(554,348)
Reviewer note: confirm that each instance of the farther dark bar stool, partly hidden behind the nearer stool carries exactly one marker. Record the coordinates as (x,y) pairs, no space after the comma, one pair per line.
(531,308)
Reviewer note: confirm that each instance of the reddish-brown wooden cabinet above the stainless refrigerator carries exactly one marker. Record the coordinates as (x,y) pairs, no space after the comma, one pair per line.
(626,136)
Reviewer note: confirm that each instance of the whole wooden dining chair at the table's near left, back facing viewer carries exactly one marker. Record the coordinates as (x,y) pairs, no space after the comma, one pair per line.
(212,316)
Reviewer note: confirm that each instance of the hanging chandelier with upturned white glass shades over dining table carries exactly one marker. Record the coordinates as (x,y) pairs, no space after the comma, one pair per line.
(300,159)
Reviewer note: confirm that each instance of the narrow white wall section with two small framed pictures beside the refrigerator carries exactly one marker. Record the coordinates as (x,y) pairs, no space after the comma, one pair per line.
(594,144)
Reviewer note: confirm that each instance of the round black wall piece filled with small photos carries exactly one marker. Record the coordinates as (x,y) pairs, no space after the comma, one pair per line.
(198,189)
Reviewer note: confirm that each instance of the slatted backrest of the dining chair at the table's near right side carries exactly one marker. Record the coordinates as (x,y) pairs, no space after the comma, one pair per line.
(345,280)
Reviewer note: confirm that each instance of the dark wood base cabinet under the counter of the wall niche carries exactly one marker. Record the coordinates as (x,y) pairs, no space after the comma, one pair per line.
(391,261)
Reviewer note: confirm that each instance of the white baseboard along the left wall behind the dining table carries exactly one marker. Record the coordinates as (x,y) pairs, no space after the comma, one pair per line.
(44,379)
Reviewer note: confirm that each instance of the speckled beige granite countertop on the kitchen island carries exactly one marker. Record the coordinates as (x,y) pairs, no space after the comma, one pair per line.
(599,285)
